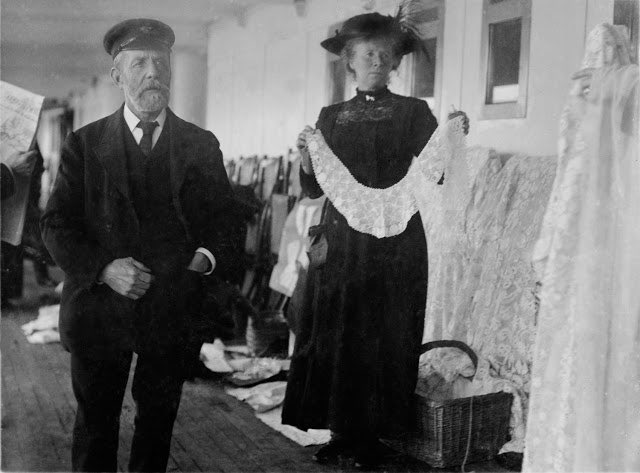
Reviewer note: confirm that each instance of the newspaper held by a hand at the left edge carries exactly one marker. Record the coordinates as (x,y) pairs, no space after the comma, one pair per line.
(19,114)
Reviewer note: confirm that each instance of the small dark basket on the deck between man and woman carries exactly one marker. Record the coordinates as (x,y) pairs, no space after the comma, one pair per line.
(265,330)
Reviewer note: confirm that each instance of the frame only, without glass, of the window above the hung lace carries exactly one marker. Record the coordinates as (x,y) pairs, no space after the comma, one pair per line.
(505,10)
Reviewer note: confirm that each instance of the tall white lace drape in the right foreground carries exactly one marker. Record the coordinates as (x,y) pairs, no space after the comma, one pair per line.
(585,399)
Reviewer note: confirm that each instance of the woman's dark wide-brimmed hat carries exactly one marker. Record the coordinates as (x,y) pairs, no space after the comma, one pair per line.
(371,25)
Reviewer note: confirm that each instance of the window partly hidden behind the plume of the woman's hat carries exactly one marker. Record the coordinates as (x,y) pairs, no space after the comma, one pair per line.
(424,64)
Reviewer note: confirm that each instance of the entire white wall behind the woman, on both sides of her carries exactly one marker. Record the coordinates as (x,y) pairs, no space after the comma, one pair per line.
(268,78)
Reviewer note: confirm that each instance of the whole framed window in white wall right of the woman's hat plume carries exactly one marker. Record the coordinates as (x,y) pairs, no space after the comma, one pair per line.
(505,56)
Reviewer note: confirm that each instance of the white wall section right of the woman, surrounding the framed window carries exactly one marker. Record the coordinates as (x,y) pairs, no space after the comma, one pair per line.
(557,42)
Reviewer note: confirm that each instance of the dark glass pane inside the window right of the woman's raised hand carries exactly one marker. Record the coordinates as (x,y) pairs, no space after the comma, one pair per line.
(504,61)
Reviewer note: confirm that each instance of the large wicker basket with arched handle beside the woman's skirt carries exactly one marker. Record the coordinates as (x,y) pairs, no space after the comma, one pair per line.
(458,431)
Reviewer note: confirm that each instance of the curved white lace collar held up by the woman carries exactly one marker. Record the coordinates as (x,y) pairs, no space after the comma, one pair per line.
(383,212)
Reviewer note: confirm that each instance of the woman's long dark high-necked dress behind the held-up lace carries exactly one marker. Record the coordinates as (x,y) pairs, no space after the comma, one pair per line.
(355,362)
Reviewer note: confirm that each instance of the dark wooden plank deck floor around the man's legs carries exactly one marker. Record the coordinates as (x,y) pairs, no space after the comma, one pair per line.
(213,431)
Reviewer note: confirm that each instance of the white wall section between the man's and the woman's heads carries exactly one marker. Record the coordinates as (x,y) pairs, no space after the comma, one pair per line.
(268,78)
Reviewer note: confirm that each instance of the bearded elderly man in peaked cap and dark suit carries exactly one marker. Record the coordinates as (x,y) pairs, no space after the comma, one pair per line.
(138,217)
